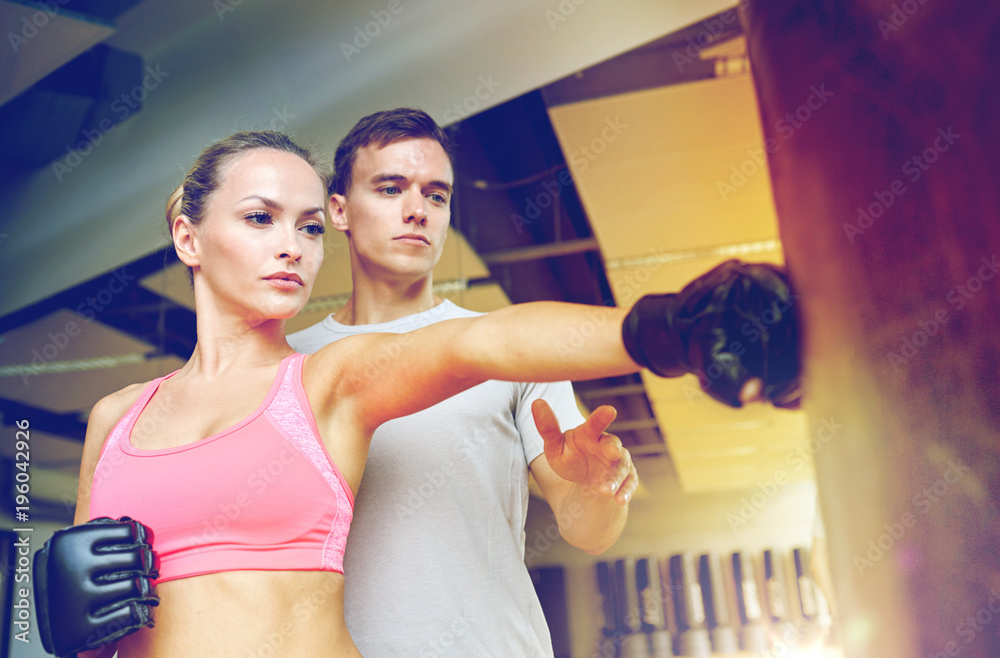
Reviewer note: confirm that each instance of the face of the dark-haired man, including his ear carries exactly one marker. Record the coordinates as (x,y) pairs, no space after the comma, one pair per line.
(397,210)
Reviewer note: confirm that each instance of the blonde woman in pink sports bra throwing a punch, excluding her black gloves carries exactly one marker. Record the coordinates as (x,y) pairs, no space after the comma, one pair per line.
(244,462)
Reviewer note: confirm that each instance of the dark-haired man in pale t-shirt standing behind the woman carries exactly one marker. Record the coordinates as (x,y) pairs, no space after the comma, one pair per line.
(435,557)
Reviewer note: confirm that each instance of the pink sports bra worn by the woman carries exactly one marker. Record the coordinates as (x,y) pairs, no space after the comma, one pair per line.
(263,494)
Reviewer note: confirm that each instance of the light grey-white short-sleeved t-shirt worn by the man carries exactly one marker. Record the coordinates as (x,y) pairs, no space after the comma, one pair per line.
(435,557)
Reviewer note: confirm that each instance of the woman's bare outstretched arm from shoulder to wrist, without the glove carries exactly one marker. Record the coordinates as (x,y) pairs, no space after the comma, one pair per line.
(385,376)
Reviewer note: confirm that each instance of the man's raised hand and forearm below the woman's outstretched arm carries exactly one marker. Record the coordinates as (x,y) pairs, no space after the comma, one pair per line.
(587,477)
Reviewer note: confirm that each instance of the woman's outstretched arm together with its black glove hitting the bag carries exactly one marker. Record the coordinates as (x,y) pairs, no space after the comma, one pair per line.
(733,325)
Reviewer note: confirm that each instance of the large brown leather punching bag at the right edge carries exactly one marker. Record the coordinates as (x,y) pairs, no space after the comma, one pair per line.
(882,125)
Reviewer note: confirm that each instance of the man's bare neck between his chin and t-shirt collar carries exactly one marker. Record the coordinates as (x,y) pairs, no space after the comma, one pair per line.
(375,302)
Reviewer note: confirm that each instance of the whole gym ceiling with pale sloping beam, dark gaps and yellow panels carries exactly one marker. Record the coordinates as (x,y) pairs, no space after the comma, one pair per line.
(589,169)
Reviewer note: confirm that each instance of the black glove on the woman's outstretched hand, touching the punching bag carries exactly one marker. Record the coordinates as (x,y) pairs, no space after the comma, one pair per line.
(736,322)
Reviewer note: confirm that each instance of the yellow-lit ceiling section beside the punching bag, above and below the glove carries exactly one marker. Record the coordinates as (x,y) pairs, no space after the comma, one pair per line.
(679,186)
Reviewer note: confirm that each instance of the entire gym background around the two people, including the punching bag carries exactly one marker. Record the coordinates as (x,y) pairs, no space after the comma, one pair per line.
(604,151)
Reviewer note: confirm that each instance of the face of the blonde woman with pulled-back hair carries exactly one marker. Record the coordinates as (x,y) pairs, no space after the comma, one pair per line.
(260,244)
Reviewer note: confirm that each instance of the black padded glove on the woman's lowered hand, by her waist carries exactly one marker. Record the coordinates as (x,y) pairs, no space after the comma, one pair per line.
(94,584)
